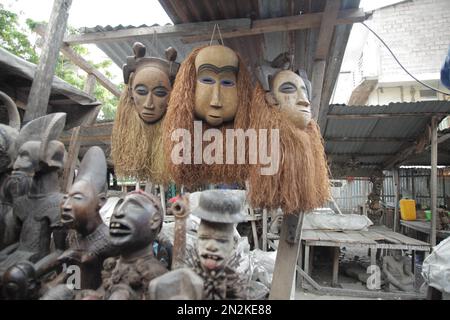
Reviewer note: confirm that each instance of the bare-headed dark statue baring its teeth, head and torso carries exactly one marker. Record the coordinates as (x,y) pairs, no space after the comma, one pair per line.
(133,228)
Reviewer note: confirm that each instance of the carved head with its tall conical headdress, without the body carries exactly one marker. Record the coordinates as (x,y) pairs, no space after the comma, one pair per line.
(80,207)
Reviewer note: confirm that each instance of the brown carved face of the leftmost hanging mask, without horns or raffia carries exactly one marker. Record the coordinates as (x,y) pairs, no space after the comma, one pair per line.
(150,91)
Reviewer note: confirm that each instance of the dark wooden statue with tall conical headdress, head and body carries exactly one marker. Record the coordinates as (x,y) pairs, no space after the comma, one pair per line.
(80,212)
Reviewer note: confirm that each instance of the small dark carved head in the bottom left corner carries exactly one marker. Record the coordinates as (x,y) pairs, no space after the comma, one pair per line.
(19,282)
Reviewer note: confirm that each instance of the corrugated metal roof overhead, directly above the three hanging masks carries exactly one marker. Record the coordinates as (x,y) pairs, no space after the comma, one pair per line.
(254,49)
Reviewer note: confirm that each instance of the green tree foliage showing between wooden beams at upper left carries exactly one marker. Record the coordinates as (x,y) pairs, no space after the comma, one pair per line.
(15,39)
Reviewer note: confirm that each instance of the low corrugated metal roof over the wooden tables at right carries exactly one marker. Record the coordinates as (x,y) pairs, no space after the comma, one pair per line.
(395,133)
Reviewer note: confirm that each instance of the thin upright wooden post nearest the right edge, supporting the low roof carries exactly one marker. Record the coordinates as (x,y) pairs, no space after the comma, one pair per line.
(433,180)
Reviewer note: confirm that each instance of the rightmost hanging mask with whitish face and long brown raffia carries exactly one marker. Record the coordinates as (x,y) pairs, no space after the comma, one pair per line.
(282,101)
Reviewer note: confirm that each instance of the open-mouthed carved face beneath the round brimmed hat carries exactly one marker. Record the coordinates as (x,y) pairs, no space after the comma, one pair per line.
(215,244)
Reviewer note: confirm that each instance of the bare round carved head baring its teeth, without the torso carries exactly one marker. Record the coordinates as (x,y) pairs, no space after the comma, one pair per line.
(136,222)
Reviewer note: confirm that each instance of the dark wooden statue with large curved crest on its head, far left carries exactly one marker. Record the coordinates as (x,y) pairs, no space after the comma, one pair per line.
(36,214)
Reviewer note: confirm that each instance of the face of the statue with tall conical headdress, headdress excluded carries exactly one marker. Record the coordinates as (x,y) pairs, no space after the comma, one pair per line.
(80,206)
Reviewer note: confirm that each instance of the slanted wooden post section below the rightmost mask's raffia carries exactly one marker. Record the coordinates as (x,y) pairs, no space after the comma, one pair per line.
(287,256)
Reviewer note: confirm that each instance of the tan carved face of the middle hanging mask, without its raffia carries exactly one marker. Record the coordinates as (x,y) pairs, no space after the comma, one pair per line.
(216,95)
